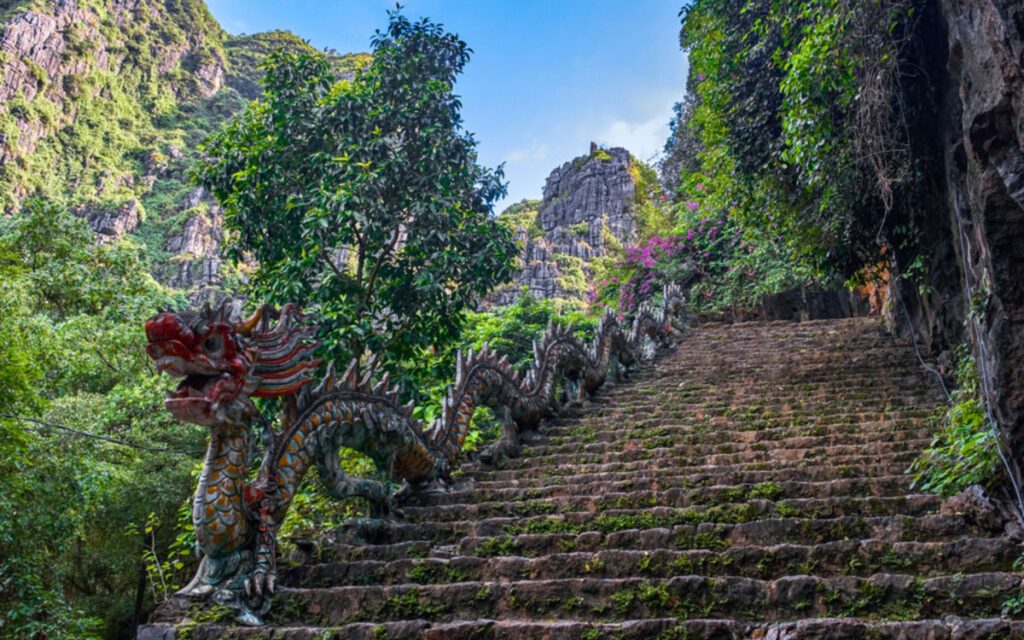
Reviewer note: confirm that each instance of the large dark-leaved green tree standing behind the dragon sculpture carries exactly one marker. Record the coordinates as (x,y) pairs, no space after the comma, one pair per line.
(363,200)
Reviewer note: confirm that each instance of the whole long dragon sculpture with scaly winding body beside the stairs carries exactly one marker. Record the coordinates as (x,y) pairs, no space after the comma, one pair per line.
(225,365)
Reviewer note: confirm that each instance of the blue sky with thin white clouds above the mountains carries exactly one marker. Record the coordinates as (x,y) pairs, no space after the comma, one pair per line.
(545,79)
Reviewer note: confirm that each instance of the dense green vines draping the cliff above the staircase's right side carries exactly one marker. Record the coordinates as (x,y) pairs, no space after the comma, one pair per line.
(786,126)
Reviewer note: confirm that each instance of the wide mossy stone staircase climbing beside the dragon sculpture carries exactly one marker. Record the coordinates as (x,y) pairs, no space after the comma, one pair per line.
(750,485)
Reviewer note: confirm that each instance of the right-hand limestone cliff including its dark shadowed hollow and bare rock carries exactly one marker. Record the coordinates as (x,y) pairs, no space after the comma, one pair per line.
(968,140)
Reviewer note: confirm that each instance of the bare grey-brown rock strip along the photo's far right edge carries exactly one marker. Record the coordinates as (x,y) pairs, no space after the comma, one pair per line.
(986,191)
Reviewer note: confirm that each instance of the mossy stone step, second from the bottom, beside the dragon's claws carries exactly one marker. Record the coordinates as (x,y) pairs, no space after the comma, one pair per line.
(887,596)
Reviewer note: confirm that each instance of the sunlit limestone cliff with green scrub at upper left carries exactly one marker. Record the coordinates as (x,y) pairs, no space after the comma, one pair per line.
(103,107)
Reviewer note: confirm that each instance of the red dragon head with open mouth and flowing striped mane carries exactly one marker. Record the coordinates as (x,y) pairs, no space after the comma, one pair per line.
(224,365)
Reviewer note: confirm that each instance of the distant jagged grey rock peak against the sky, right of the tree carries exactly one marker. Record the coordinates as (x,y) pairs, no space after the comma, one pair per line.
(588,202)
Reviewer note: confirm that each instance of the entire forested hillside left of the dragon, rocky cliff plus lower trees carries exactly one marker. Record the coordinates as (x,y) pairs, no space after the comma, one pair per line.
(103,109)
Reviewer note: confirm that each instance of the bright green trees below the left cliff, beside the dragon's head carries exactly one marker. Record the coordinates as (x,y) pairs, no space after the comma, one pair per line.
(73,372)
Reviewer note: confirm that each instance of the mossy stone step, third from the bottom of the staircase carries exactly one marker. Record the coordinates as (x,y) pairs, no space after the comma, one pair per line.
(848,558)
